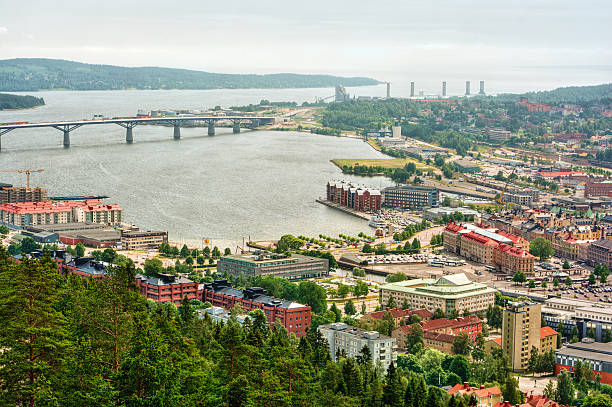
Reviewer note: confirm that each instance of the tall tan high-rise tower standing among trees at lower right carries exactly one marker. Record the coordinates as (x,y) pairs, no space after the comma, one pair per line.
(521,323)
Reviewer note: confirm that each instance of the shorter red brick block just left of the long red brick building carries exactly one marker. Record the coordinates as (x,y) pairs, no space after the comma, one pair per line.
(167,288)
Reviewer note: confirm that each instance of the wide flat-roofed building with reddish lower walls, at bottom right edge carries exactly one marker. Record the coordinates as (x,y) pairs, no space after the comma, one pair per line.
(598,355)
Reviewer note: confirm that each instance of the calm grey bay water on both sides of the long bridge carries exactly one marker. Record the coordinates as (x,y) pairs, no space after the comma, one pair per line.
(260,184)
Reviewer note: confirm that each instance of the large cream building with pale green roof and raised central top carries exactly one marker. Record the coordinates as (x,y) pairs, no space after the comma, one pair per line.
(455,292)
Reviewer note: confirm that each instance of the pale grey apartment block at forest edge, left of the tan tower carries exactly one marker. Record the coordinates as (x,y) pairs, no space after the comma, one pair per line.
(350,340)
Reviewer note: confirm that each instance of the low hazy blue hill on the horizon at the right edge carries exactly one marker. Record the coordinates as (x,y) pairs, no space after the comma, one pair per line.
(570,94)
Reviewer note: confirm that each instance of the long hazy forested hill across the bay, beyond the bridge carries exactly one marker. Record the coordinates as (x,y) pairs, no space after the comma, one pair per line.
(25,74)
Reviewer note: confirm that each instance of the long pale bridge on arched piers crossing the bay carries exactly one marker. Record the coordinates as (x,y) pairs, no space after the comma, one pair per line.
(130,122)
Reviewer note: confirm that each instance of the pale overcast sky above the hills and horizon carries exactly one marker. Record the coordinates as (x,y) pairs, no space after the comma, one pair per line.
(331,36)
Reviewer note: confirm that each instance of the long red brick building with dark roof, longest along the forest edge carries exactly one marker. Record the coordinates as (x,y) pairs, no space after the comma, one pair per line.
(293,316)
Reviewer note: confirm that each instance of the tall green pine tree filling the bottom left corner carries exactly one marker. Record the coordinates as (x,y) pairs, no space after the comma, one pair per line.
(32,333)
